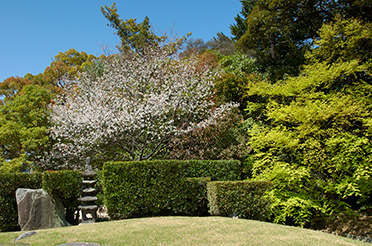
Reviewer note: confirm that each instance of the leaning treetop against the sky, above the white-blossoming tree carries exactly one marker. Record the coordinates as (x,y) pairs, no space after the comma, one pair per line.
(134,36)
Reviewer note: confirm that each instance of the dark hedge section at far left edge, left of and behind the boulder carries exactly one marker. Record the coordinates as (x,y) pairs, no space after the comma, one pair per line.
(9,183)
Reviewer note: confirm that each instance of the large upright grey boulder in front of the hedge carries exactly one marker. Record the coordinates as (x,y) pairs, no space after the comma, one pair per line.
(38,210)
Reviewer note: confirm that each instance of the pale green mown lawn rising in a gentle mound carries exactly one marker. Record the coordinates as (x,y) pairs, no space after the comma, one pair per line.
(180,231)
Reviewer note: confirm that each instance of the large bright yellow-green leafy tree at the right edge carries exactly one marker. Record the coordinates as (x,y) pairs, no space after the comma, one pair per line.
(313,138)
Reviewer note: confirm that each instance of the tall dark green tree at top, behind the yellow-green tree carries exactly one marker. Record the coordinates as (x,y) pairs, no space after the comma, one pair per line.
(280,32)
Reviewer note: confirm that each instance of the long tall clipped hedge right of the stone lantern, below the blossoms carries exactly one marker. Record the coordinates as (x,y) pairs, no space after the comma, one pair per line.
(156,188)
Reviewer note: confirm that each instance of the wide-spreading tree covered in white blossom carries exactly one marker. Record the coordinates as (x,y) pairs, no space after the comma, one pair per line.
(134,107)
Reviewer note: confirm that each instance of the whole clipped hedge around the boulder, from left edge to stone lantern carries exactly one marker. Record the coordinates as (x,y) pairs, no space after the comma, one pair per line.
(65,184)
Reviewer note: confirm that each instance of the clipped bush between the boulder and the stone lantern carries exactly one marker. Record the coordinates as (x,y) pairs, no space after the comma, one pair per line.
(65,185)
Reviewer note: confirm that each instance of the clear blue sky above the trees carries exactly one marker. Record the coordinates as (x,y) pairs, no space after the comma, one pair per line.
(34,31)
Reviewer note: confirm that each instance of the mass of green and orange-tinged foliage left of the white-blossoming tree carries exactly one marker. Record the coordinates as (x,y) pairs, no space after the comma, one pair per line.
(24,113)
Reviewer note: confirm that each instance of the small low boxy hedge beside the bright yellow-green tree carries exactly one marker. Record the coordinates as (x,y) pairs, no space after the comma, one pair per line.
(244,199)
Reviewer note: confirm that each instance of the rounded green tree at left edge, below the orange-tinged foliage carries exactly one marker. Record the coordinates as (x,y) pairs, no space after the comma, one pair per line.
(24,127)
